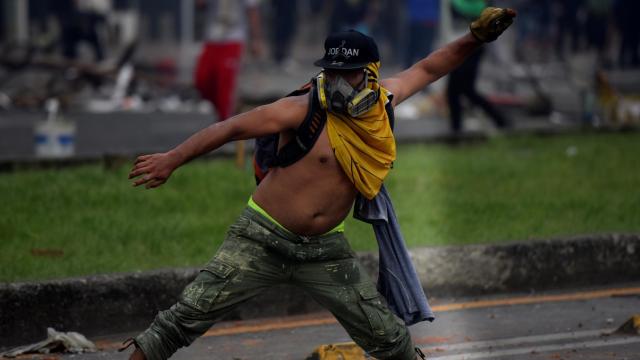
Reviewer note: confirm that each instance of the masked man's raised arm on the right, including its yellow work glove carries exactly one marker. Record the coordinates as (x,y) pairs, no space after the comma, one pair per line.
(492,22)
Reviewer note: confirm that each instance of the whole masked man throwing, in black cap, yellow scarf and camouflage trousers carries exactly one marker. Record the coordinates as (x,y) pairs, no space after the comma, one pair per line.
(291,231)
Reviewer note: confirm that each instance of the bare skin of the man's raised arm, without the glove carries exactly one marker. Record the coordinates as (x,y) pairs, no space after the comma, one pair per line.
(436,65)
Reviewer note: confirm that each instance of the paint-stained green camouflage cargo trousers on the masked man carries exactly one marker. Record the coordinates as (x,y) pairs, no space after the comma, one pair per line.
(258,254)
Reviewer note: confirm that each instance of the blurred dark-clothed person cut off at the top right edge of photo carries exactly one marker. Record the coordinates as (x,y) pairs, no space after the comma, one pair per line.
(626,17)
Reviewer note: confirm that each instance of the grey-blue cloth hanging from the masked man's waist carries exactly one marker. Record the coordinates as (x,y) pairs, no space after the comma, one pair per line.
(397,281)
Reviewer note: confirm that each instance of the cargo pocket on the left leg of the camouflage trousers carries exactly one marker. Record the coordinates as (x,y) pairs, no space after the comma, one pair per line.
(203,291)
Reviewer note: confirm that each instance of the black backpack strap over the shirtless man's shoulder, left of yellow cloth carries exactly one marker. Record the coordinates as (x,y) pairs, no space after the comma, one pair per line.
(307,133)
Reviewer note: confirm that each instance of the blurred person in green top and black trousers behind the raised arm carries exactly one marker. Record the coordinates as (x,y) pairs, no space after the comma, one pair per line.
(462,81)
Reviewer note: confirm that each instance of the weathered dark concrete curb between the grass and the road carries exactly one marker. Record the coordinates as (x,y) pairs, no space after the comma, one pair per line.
(120,303)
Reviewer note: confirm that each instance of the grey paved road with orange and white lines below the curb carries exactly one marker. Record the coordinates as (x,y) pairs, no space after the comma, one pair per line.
(559,325)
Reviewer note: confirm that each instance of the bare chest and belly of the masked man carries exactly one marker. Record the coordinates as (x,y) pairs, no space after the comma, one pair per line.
(311,196)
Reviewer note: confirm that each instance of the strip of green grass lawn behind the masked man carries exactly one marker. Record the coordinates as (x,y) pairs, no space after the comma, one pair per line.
(87,220)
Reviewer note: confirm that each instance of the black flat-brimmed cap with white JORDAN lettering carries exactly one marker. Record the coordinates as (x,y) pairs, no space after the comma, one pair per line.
(348,50)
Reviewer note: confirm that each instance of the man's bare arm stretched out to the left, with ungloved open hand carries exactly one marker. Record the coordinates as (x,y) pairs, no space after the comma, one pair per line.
(273,118)
